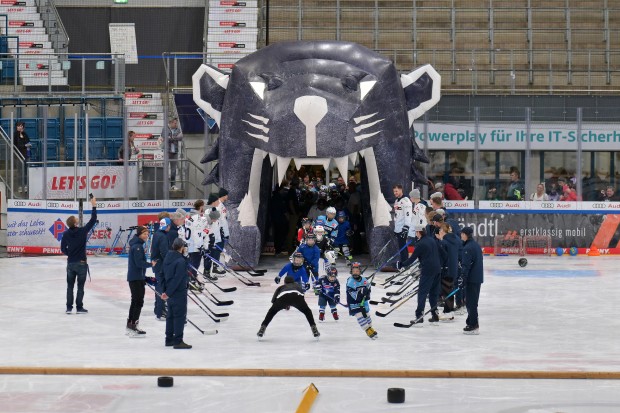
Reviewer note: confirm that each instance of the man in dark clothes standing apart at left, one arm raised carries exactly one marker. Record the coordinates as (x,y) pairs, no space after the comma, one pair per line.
(73,245)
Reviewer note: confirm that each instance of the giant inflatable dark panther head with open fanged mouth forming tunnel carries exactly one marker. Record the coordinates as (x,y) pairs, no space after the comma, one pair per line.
(329,103)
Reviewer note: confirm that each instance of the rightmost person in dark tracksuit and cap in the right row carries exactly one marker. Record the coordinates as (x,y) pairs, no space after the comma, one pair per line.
(473,277)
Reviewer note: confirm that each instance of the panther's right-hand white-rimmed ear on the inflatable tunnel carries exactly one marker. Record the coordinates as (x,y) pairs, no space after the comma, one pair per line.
(422,91)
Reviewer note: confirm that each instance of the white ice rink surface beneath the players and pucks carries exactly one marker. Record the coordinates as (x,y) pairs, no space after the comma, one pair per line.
(557,314)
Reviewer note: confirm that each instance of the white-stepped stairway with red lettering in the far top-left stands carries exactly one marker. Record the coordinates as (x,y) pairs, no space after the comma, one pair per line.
(24,20)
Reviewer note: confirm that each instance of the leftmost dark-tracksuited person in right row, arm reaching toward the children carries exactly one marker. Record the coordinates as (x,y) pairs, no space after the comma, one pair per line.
(427,251)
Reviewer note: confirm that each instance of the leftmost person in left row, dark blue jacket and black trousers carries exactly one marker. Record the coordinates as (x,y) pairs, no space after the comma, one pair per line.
(136,272)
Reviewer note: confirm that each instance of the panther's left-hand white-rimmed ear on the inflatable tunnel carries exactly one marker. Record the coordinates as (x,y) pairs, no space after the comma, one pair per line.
(209,87)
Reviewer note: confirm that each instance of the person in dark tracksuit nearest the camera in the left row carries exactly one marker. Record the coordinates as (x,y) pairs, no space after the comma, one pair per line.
(175,271)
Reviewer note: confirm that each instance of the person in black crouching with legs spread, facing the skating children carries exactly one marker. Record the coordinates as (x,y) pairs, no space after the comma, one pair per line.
(288,295)
